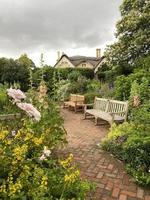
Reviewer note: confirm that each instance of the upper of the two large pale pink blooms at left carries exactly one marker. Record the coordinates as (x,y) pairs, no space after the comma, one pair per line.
(17,95)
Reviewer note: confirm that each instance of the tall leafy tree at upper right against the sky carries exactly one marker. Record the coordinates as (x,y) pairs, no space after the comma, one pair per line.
(133,34)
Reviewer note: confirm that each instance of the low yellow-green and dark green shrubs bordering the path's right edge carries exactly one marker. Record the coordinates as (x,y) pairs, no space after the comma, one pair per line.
(131,144)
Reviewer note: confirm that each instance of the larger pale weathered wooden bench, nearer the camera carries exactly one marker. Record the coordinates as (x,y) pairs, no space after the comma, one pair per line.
(108,110)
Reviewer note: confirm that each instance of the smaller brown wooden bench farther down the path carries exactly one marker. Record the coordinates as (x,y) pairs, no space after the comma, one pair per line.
(76,102)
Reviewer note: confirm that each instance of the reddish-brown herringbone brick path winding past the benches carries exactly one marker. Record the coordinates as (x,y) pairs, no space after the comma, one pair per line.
(96,165)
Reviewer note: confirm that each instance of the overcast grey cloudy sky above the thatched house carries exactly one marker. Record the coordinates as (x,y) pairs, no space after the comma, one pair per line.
(75,27)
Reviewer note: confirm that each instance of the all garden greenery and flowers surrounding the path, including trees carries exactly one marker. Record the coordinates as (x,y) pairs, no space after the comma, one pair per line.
(32,128)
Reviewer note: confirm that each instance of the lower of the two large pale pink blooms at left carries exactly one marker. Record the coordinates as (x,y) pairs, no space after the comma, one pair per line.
(30,110)
